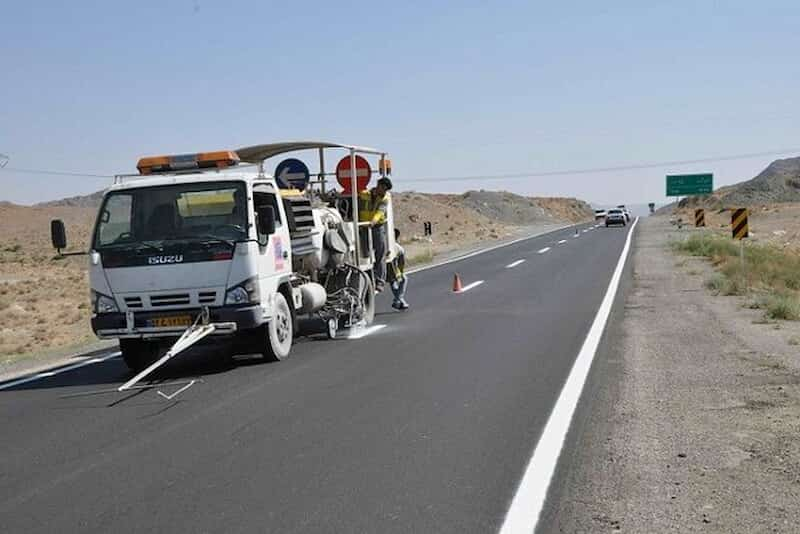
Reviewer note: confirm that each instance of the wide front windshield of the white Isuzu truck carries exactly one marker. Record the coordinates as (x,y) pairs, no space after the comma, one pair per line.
(154,217)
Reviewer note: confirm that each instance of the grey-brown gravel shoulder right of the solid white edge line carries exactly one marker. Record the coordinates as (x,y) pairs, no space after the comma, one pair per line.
(692,417)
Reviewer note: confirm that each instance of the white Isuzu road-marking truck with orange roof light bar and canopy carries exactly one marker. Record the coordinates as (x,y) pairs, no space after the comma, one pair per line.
(204,239)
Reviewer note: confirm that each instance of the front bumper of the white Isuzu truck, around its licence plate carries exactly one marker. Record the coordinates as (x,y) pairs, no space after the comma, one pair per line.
(228,320)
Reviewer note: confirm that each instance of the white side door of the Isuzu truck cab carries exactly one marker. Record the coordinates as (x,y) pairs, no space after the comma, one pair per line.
(274,259)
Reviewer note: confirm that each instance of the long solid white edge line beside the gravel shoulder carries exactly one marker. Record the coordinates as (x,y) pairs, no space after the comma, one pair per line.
(523,514)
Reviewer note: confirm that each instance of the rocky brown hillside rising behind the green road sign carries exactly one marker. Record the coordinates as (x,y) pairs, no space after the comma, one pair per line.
(779,182)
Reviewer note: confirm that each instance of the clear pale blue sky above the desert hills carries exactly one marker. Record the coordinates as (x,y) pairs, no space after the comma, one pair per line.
(448,88)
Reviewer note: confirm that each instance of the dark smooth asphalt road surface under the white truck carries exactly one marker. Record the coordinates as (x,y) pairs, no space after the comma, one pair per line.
(425,425)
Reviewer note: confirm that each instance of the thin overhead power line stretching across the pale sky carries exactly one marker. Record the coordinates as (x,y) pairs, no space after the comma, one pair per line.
(510,176)
